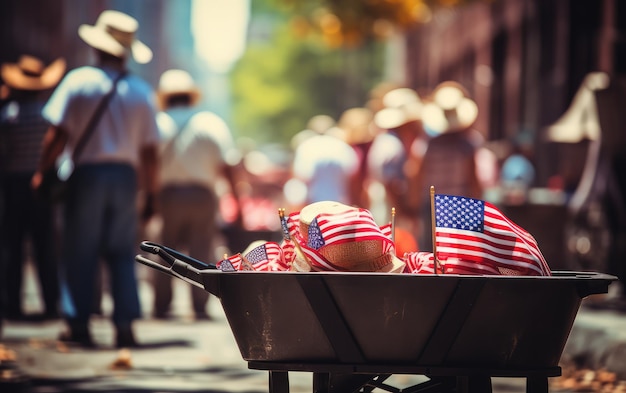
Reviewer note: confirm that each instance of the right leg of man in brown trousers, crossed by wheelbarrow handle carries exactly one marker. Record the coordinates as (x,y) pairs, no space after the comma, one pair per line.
(201,237)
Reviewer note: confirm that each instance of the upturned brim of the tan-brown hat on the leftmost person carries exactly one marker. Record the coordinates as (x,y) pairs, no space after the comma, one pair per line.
(14,77)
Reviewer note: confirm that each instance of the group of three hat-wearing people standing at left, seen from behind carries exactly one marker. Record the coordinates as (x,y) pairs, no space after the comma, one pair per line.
(130,152)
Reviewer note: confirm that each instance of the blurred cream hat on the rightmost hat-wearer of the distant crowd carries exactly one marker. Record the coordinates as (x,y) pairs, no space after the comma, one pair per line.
(450,110)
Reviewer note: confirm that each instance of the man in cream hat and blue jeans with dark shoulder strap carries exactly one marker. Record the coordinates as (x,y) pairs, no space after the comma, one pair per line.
(120,153)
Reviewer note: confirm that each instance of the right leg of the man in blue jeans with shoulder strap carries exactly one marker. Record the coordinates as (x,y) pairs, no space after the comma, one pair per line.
(119,249)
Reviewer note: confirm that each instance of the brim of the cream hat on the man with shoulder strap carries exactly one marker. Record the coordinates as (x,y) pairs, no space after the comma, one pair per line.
(100,39)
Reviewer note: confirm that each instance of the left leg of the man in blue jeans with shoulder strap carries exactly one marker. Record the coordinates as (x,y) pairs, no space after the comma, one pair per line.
(84,214)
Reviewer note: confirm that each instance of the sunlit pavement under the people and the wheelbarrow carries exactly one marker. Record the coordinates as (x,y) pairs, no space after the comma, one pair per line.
(182,355)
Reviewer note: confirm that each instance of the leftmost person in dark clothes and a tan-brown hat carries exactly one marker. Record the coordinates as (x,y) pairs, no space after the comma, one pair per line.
(26,86)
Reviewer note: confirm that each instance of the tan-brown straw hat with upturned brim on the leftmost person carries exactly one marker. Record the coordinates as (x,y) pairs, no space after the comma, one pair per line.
(30,73)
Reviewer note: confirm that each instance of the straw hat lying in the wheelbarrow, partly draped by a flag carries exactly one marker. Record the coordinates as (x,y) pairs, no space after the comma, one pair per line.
(368,255)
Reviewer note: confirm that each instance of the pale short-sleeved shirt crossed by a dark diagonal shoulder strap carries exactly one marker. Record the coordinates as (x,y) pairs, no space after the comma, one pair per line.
(128,123)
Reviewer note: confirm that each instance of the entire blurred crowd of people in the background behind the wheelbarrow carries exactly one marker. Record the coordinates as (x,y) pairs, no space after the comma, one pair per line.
(137,153)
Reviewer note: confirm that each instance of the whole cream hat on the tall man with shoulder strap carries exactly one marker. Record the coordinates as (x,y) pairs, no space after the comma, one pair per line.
(114,33)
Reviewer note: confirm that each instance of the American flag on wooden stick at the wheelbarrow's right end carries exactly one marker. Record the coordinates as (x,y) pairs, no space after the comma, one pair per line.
(473,230)
